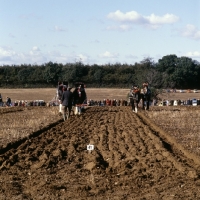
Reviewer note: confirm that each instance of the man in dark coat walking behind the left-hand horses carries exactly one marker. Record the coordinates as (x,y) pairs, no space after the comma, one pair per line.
(67,98)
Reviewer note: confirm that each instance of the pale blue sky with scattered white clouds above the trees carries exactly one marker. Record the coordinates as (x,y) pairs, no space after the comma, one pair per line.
(97,31)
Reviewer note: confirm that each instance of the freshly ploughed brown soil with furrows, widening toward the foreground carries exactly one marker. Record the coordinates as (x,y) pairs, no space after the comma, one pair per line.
(132,159)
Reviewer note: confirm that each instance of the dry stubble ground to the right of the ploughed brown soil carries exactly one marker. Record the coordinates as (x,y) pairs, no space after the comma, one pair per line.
(181,122)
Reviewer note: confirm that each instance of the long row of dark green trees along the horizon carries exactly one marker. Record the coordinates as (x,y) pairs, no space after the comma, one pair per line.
(169,72)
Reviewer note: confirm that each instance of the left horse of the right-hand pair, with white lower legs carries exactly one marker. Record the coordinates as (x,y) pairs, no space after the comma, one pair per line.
(134,97)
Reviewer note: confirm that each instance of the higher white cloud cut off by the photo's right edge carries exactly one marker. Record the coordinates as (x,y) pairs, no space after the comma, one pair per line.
(191,31)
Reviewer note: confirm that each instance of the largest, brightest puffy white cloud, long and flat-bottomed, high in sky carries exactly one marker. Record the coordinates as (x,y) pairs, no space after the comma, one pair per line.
(133,17)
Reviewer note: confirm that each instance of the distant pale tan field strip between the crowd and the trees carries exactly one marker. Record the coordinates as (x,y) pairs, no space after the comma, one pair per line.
(47,94)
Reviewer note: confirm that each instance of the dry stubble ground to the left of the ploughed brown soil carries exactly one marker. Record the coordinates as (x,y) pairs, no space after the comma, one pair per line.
(18,123)
